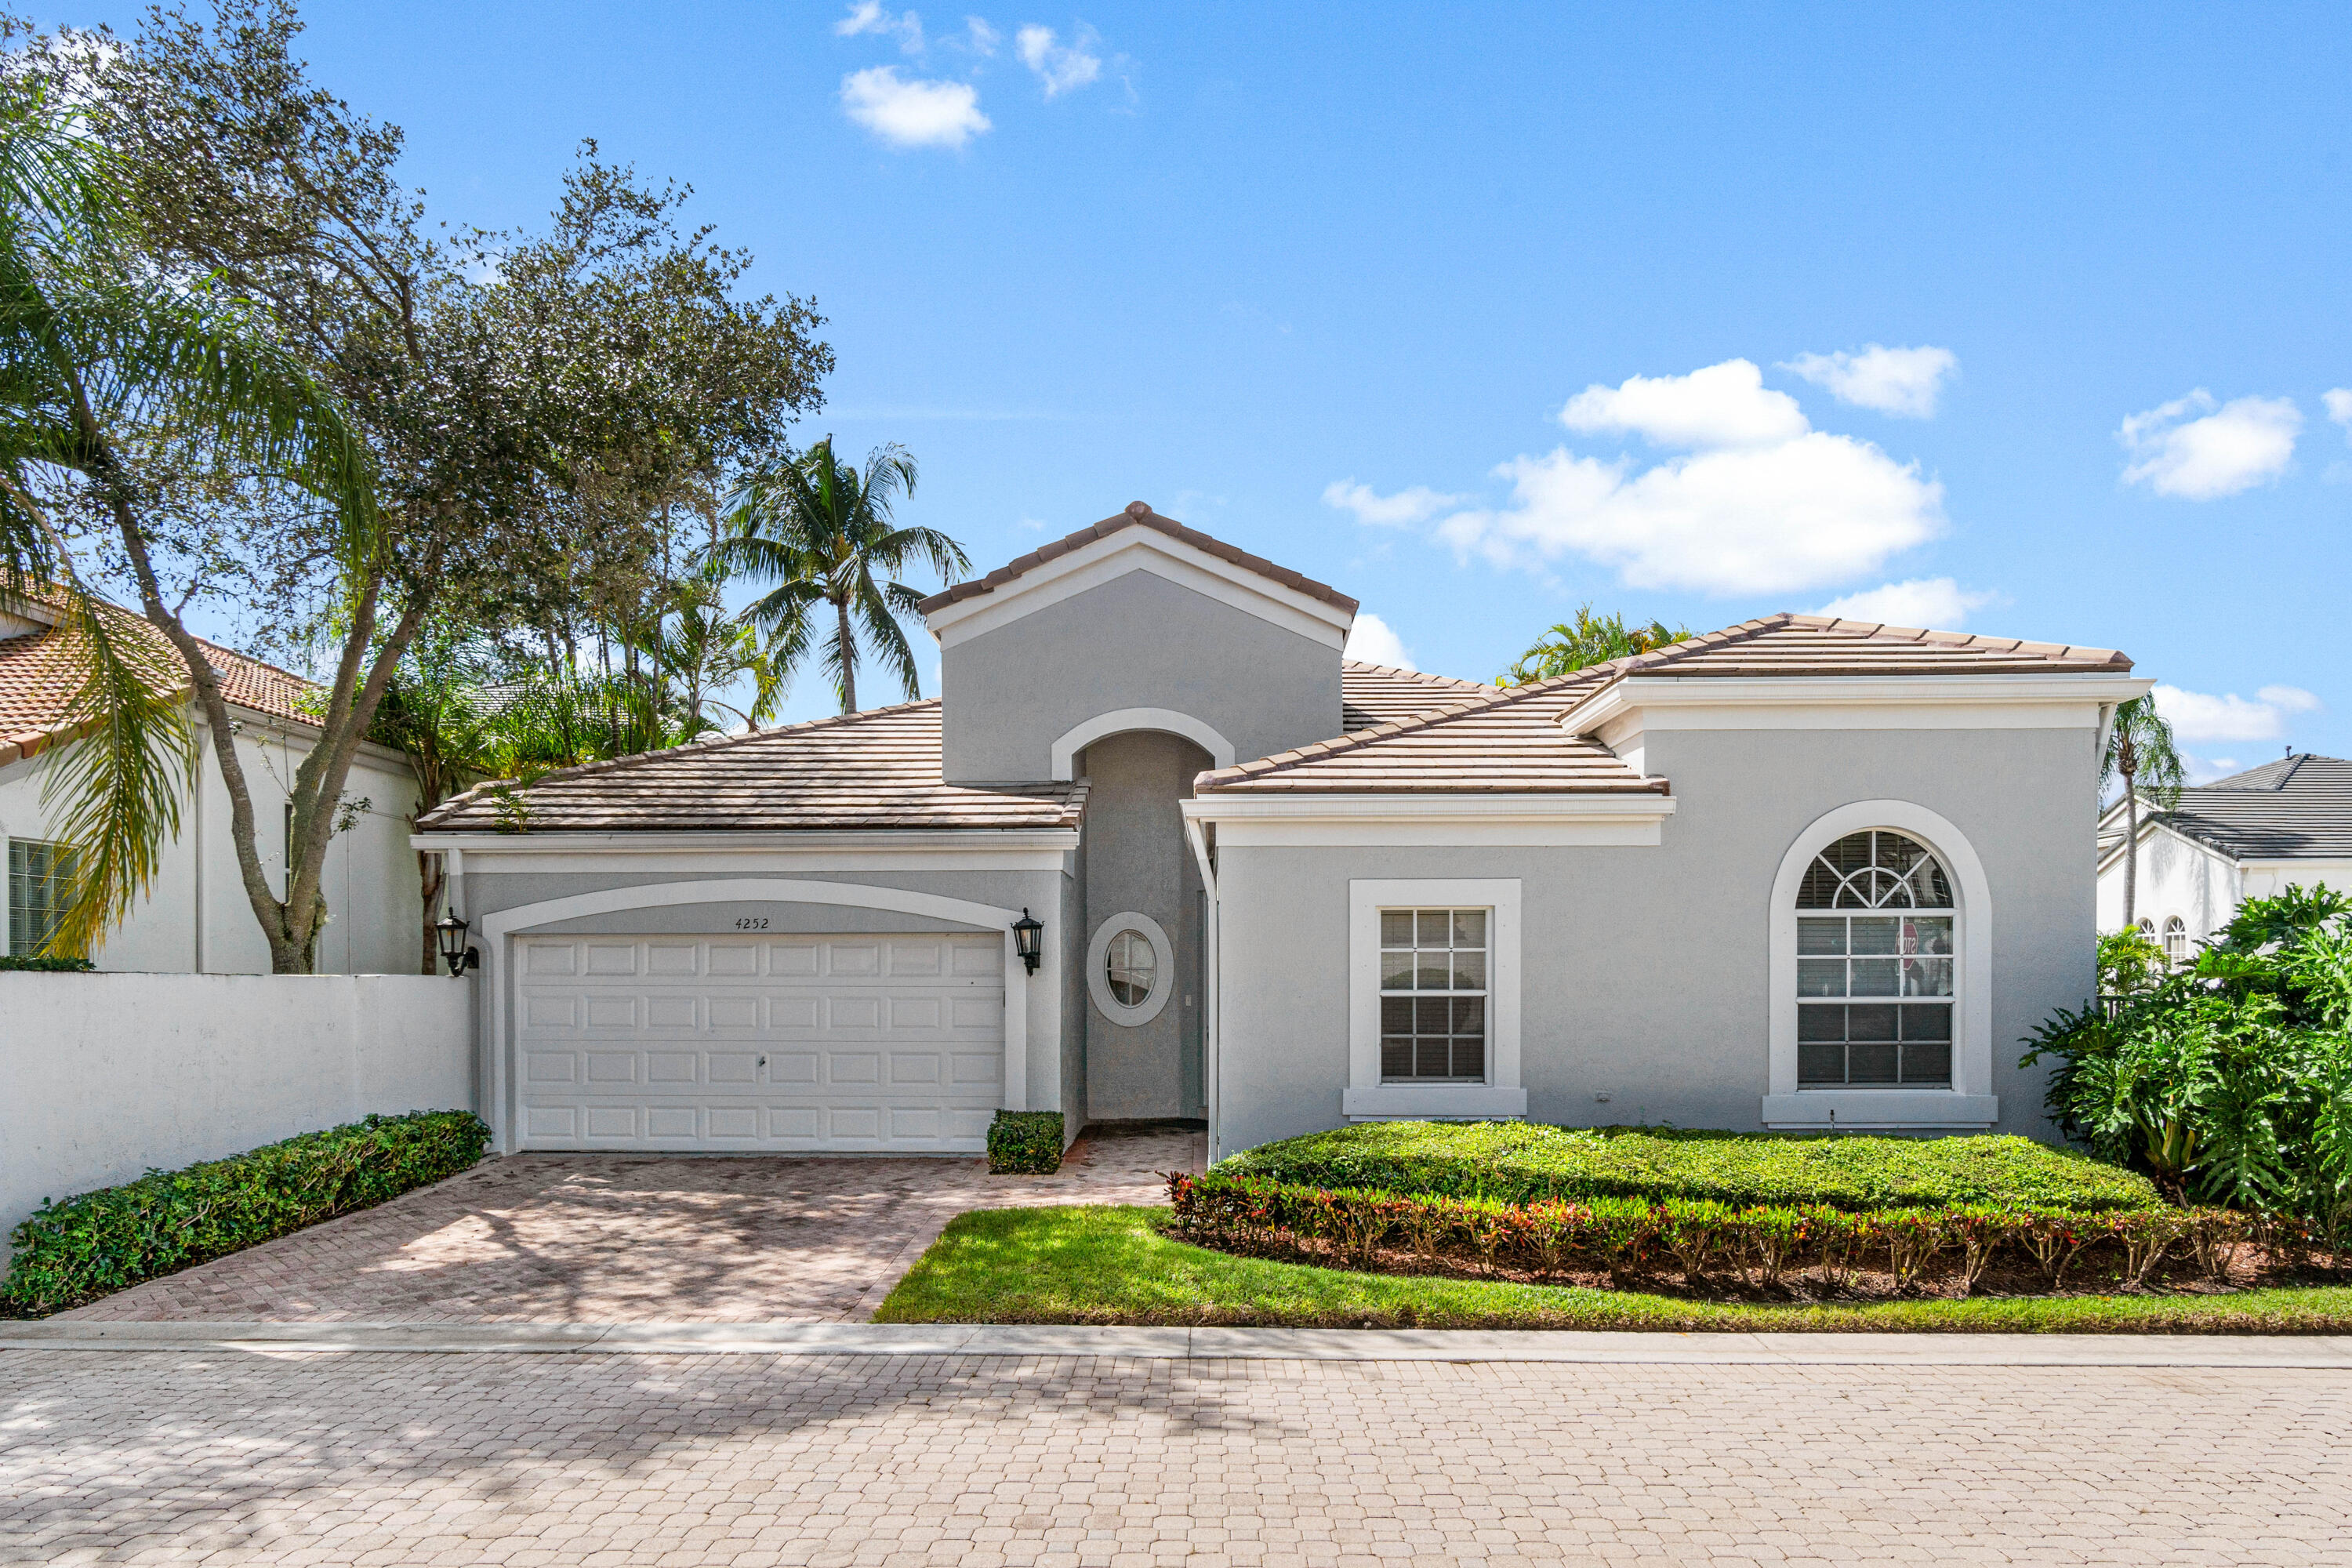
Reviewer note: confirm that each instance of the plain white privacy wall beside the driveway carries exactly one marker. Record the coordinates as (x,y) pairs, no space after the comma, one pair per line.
(112,1076)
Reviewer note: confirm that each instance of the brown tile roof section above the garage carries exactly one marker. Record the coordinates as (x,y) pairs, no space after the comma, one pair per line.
(857,772)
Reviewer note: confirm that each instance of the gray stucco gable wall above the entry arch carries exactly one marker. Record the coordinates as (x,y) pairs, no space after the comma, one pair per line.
(1137,641)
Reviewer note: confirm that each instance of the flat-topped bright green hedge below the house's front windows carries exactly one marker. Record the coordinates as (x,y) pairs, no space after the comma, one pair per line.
(1521,1162)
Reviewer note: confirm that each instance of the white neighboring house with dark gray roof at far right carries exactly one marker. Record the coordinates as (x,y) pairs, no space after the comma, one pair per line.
(2226,843)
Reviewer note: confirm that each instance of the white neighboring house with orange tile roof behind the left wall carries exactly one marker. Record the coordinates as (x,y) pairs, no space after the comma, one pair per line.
(196,918)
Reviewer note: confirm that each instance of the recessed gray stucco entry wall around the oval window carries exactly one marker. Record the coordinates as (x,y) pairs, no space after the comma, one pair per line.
(1140,864)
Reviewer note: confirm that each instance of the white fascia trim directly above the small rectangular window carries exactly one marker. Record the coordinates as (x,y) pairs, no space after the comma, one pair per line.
(1290,822)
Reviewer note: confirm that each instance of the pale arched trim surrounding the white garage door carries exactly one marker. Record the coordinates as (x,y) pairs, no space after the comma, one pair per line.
(505,927)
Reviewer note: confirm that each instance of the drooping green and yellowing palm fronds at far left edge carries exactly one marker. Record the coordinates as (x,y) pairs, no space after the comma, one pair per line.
(93,351)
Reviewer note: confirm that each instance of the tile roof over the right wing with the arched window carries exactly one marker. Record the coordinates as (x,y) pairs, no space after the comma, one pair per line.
(1514,739)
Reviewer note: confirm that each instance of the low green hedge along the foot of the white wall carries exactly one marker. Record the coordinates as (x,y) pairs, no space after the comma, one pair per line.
(83,1247)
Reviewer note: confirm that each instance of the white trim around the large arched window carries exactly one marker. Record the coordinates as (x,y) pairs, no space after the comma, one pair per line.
(1970,1101)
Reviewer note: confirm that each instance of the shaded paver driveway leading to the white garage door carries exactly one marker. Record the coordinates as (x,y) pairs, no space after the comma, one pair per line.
(641,1238)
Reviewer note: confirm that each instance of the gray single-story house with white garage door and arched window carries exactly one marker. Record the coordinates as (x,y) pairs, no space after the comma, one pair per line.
(1798,873)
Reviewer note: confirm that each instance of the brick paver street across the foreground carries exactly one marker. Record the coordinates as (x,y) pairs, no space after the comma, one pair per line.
(519,1459)
